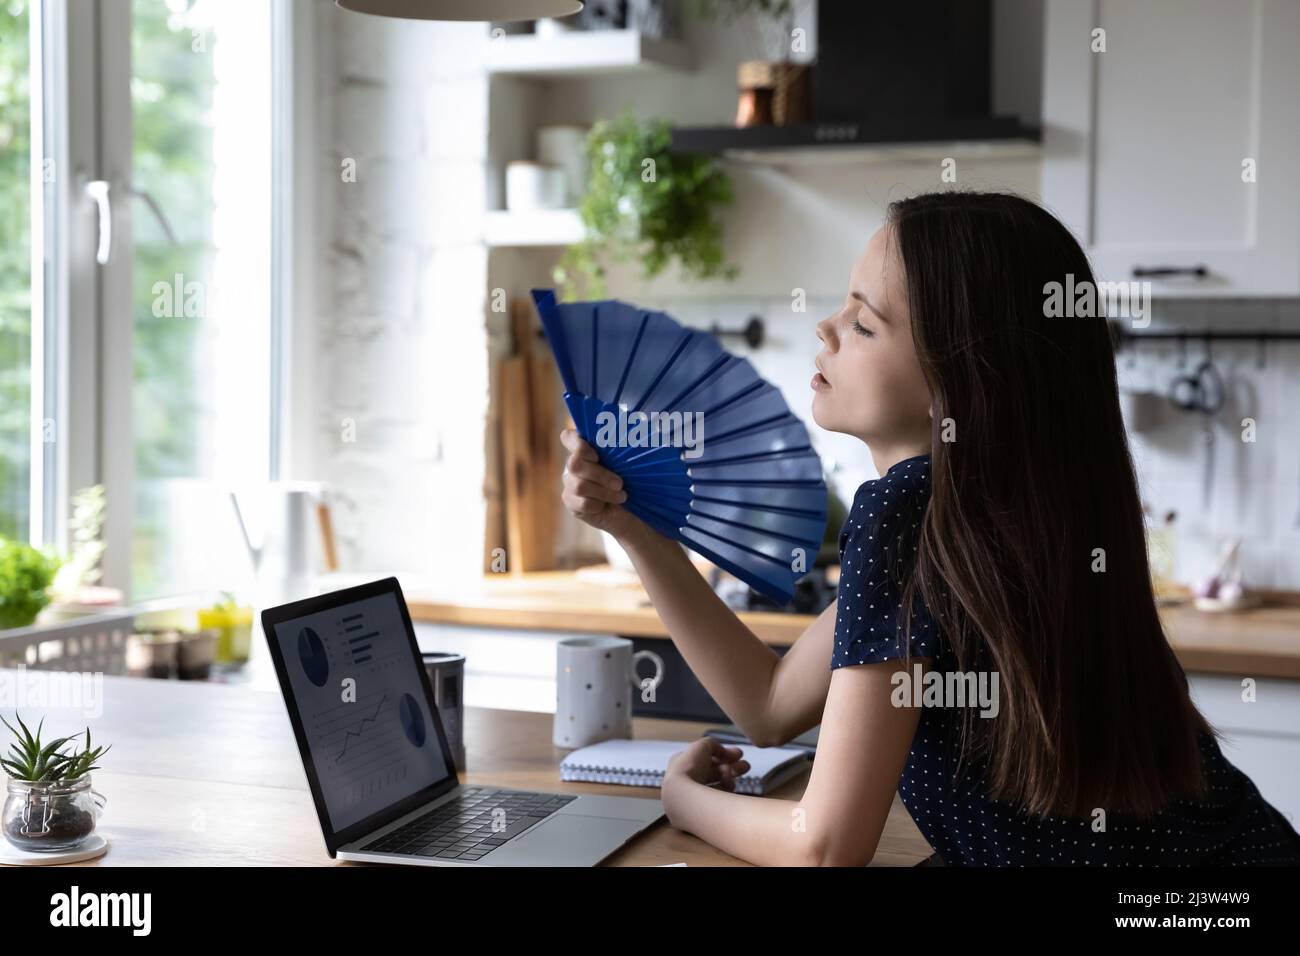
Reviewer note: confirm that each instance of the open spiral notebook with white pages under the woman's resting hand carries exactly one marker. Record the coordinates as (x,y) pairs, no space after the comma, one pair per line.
(643,764)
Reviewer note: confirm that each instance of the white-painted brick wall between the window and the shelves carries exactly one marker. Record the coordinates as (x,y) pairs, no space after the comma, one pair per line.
(401,340)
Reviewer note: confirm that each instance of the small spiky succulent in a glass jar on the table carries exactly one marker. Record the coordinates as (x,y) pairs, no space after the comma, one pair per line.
(50,804)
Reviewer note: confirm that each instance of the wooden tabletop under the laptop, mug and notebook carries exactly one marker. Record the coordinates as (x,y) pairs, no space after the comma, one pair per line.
(209,776)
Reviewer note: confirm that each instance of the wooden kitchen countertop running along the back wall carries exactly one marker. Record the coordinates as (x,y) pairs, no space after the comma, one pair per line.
(1264,642)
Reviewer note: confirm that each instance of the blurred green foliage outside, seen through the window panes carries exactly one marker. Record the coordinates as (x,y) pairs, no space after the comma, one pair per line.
(171,103)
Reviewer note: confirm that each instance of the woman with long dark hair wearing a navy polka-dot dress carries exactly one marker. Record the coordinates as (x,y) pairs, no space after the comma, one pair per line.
(1004,540)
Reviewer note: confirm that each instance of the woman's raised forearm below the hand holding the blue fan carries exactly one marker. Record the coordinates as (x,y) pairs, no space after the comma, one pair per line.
(734,665)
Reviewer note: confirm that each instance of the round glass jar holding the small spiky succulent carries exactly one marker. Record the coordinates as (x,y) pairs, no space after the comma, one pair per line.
(51,816)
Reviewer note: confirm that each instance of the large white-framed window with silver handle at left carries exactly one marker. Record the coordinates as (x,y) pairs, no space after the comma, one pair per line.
(140,304)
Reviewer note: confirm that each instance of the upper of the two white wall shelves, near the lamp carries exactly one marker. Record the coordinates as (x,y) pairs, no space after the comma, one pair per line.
(584,54)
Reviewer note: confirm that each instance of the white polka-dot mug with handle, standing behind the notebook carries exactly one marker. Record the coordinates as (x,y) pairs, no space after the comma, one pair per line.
(593,689)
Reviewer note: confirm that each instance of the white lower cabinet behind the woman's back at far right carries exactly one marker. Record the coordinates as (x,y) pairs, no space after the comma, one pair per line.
(1262,738)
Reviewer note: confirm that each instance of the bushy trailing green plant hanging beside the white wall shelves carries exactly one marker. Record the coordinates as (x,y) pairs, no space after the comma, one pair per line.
(644,201)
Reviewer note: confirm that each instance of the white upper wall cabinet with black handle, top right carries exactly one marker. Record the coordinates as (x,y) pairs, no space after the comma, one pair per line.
(1143,145)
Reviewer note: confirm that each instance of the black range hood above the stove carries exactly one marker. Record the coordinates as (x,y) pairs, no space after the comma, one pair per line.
(905,76)
